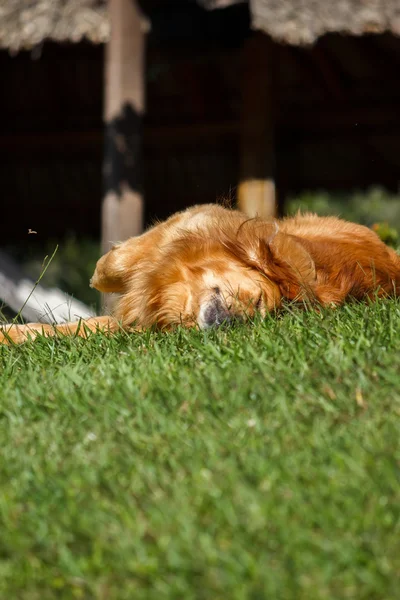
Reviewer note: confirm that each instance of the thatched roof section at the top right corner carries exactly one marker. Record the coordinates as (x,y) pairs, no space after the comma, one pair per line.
(301,22)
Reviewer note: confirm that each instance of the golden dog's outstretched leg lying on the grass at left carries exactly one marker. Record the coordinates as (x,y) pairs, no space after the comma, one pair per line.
(18,334)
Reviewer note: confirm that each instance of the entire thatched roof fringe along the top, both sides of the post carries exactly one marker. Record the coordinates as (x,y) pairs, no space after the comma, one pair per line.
(26,23)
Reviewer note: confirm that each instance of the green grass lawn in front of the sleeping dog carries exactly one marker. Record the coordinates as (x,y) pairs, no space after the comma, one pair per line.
(258,462)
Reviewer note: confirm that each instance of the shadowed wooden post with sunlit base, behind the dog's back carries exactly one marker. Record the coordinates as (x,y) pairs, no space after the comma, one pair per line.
(256,190)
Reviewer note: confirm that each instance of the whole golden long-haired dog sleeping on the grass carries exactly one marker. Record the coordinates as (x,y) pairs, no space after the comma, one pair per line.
(208,265)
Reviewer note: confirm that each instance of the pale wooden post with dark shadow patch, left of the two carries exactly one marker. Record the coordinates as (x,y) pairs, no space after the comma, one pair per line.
(122,209)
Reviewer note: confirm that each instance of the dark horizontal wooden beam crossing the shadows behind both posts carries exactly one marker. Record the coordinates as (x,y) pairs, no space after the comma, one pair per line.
(348,122)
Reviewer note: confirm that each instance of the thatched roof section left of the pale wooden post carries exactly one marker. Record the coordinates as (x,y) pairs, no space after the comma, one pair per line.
(26,23)
